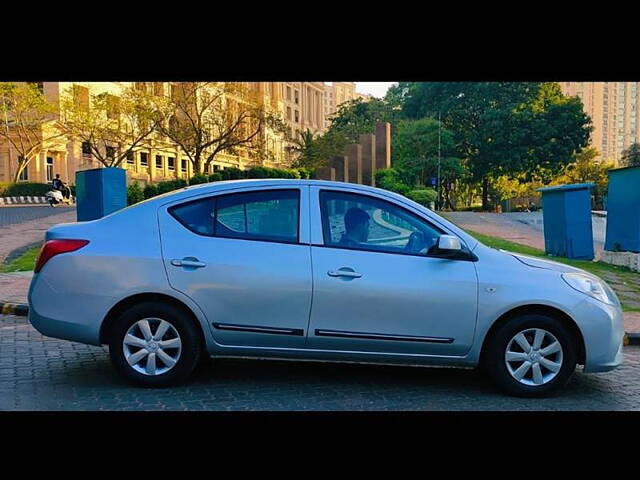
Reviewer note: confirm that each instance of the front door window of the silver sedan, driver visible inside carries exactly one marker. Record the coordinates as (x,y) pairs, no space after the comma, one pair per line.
(360,222)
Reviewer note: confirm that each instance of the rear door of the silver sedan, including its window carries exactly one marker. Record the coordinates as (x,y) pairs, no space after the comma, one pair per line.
(244,257)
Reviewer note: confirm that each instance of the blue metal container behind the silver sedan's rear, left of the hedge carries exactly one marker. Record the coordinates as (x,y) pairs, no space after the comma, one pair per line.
(99,192)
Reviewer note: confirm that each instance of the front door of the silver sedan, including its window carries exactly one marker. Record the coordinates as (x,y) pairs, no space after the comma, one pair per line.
(385,293)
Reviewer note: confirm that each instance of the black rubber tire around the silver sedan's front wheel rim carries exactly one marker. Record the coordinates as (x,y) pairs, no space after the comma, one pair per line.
(494,359)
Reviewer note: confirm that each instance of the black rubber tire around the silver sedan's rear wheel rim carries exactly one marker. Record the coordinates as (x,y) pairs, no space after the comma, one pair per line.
(191,349)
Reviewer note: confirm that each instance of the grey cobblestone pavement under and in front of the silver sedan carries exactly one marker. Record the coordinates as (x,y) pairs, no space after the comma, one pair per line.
(40,373)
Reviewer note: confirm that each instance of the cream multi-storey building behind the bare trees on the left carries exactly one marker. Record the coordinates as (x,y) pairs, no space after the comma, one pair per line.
(144,165)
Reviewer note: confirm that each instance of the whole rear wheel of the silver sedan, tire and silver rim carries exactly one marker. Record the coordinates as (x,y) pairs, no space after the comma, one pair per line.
(154,345)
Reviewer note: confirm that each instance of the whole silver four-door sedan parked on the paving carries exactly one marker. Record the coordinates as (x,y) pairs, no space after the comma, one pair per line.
(328,271)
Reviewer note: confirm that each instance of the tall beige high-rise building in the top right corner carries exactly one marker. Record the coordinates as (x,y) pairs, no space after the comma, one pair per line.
(613,108)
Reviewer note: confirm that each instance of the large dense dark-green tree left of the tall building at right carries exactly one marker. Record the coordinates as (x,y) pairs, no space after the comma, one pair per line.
(503,128)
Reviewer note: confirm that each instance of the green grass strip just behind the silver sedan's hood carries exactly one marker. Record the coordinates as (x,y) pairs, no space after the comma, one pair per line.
(622,275)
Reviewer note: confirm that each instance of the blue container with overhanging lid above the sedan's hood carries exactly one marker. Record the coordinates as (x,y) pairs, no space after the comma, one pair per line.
(567,221)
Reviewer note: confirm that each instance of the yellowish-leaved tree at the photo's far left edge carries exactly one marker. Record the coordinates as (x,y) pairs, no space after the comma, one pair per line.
(28,122)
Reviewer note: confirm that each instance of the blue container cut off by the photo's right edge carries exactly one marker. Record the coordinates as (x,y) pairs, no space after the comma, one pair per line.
(623,210)
